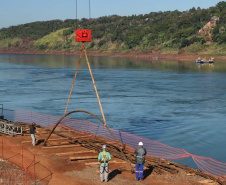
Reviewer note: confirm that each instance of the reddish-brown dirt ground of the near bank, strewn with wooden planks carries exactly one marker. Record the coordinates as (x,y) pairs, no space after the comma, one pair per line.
(56,157)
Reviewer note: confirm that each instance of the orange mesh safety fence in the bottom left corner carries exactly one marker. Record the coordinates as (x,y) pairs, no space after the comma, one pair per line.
(28,169)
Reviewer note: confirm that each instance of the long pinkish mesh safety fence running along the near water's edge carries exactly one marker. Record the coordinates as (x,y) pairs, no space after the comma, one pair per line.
(154,148)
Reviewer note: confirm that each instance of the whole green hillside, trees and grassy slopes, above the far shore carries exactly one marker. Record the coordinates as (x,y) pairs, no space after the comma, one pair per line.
(157,31)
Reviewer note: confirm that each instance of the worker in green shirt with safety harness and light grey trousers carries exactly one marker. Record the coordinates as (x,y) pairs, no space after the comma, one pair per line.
(103,158)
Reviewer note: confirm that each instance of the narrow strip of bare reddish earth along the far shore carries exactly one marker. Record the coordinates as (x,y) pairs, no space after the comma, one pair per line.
(149,56)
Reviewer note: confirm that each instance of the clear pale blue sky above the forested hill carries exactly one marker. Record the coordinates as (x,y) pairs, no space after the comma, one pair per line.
(15,12)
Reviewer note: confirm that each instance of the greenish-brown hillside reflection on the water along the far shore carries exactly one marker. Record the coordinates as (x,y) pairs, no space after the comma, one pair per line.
(61,61)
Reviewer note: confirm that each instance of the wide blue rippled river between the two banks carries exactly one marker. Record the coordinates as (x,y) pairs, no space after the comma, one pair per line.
(179,104)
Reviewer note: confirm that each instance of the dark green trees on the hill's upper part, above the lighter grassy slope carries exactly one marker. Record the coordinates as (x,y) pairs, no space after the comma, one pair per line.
(174,29)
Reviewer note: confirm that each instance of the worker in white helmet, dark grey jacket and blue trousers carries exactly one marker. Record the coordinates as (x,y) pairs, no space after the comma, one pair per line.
(140,160)
